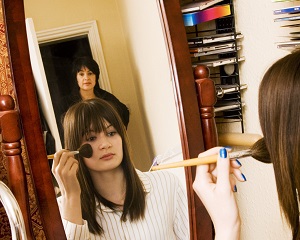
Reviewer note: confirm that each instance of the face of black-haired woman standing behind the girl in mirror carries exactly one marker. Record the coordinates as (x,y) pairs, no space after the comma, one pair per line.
(86,79)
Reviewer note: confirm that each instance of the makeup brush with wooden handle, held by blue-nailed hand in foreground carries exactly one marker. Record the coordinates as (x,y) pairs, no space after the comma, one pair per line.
(257,151)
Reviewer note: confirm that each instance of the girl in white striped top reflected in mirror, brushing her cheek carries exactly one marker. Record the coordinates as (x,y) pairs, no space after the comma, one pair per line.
(104,196)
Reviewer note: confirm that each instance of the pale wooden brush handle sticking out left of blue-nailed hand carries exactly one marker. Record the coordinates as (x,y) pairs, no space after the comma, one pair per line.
(187,163)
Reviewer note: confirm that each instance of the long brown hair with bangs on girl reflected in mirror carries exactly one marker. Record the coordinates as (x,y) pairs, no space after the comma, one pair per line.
(79,119)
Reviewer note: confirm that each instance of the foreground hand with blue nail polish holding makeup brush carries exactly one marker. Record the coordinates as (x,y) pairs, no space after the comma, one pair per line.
(215,186)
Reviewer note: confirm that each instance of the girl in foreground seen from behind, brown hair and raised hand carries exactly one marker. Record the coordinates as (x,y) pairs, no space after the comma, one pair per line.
(279,115)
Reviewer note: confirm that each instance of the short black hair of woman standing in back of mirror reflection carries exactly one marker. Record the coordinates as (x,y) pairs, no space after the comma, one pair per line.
(87,62)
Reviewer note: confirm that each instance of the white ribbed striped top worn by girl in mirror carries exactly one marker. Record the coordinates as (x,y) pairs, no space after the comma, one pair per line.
(166,215)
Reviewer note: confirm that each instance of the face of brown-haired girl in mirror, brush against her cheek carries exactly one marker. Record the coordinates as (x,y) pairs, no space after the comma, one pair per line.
(107,150)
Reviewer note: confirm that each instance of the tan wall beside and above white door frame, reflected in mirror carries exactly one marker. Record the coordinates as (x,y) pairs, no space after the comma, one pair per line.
(61,13)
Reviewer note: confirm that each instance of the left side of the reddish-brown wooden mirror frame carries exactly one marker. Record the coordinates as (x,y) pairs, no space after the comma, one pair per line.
(30,118)
